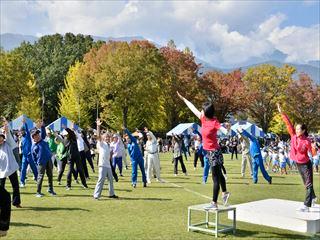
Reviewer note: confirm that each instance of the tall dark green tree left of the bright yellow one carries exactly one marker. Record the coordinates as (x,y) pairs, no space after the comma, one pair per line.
(49,60)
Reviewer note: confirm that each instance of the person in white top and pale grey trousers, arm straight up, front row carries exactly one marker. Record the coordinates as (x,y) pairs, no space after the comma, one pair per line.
(104,164)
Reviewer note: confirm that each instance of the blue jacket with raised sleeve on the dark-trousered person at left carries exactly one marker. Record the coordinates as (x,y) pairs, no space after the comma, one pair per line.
(40,151)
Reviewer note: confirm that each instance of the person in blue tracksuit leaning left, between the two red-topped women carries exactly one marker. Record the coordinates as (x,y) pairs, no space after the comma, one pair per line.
(257,161)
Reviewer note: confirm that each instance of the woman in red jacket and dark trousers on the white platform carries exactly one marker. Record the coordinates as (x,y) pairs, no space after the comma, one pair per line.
(300,146)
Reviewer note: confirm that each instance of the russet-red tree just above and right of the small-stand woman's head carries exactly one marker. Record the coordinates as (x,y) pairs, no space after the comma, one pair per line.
(225,90)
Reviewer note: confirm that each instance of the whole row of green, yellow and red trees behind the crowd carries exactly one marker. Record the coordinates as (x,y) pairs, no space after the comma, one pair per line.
(135,84)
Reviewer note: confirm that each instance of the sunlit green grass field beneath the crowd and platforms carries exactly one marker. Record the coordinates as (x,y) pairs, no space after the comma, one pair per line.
(156,212)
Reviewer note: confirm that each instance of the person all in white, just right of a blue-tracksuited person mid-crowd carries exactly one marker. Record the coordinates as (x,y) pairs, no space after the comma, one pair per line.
(152,156)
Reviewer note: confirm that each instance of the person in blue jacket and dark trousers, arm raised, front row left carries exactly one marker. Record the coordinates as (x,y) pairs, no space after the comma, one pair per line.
(42,155)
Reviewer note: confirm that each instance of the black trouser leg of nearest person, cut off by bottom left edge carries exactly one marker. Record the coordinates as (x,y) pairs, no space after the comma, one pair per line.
(5,209)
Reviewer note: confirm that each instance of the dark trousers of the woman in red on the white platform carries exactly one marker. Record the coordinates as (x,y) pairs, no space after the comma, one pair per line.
(306,173)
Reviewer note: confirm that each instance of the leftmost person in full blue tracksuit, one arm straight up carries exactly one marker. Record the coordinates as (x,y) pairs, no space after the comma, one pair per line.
(27,159)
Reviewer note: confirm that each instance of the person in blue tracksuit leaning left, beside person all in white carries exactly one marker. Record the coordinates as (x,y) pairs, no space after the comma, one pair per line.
(136,158)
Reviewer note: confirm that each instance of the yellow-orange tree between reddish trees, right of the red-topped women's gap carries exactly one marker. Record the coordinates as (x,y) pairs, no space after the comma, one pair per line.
(265,86)
